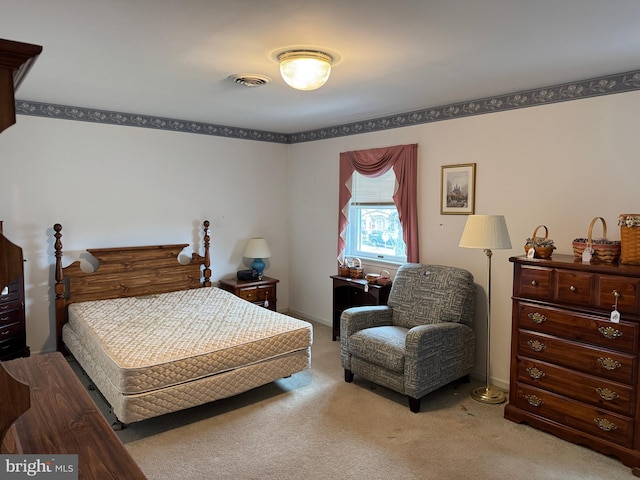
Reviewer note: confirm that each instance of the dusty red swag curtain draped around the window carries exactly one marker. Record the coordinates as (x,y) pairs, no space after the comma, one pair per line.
(375,162)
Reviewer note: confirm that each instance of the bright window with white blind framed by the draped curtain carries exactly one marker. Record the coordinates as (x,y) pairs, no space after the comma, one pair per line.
(374,230)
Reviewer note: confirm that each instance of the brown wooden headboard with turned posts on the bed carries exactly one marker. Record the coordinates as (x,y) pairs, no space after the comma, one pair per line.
(127,272)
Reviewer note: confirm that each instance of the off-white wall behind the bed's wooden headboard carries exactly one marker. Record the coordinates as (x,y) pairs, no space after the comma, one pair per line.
(110,185)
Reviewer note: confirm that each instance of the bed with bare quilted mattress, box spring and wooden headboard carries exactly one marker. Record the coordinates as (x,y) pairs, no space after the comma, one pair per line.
(156,337)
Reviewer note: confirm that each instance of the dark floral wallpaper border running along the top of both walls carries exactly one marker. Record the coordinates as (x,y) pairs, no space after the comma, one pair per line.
(608,85)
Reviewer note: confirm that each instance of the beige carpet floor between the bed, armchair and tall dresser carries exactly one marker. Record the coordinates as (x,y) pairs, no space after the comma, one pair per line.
(313,425)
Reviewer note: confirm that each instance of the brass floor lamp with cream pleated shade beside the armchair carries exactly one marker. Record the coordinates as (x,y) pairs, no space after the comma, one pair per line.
(488,232)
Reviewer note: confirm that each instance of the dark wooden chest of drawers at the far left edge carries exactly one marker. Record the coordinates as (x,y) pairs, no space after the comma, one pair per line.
(13,336)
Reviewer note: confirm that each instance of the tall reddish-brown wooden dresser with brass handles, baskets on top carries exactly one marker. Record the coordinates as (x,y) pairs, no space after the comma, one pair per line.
(575,372)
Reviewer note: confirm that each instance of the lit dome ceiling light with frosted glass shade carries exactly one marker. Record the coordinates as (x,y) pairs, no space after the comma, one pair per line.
(305,69)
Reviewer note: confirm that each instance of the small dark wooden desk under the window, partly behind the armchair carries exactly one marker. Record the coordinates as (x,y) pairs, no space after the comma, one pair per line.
(355,292)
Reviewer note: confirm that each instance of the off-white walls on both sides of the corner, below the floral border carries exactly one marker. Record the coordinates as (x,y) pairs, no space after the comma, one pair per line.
(558,165)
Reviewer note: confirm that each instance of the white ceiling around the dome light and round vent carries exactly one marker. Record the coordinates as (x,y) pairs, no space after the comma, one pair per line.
(172,58)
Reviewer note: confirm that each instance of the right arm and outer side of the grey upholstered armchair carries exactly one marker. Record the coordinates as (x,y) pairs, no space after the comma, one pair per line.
(437,354)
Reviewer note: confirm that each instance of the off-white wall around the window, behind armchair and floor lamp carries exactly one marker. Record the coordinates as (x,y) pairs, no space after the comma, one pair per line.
(559,165)
